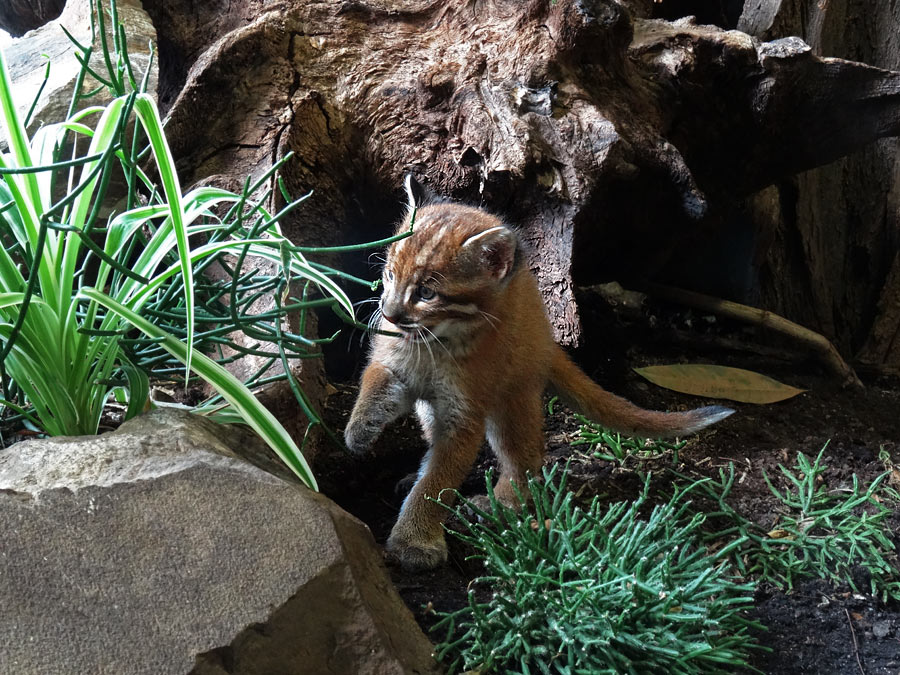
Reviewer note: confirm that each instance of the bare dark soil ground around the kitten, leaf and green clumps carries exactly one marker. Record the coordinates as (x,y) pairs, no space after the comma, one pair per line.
(816,628)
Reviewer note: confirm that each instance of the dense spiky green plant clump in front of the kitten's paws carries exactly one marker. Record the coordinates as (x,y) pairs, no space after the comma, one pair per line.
(596,590)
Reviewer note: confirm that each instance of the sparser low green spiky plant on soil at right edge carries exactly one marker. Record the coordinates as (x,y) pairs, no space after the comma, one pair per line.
(820,532)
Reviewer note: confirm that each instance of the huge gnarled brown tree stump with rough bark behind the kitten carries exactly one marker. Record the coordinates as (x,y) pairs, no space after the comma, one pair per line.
(614,143)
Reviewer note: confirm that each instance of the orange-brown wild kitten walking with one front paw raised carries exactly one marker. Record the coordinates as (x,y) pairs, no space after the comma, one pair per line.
(475,356)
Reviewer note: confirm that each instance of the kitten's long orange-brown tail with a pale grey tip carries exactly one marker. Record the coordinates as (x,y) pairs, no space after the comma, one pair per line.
(594,402)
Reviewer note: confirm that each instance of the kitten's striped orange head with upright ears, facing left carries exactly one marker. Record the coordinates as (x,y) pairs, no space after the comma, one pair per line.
(447,276)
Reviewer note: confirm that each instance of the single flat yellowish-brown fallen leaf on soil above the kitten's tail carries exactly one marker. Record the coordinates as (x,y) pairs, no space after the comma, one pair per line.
(734,384)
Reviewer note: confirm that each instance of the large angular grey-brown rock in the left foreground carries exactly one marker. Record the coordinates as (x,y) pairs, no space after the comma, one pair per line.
(152,549)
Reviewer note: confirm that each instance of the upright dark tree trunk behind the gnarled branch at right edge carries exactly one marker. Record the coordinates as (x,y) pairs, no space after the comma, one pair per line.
(835,231)
